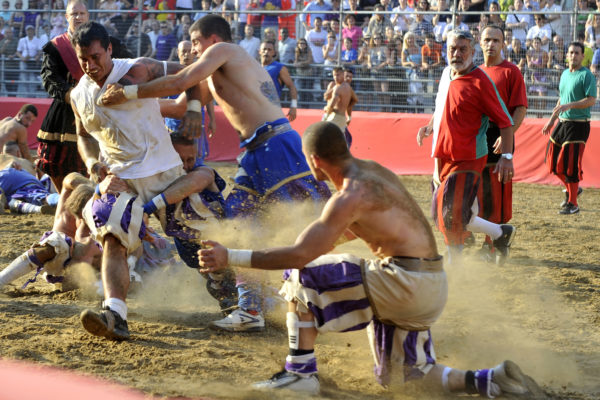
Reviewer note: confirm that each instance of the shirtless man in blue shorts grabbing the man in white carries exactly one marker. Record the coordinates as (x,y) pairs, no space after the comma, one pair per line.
(272,167)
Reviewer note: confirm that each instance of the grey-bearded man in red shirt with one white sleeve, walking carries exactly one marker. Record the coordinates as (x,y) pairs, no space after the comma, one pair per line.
(467,100)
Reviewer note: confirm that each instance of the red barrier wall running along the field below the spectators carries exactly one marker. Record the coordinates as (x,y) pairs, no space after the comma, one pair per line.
(387,138)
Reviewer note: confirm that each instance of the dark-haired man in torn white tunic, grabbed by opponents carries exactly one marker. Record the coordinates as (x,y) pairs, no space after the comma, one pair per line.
(130,145)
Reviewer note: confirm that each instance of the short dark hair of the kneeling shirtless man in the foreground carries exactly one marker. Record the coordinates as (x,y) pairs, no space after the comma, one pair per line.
(325,140)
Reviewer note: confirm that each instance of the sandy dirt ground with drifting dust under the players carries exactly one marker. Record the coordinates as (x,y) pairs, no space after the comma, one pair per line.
(540,310)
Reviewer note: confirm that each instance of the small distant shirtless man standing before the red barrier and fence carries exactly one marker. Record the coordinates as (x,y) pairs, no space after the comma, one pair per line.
(340,99)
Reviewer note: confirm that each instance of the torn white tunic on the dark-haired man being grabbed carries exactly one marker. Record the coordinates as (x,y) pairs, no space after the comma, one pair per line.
(133,140)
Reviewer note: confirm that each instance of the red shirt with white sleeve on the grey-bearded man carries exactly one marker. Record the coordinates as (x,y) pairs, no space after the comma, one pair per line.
(470,102)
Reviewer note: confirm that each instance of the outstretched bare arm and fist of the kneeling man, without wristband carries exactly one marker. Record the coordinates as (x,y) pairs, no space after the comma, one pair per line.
(317,239)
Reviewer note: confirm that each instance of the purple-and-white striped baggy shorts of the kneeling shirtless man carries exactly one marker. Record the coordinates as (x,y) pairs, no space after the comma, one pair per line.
(345,292)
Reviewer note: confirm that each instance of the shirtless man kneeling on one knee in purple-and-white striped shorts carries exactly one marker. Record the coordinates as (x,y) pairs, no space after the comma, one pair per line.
(398,294)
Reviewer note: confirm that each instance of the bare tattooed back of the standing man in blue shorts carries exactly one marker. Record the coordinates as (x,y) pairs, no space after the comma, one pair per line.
(243,89)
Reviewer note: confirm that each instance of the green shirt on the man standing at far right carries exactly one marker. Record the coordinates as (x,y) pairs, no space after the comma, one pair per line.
(575,86)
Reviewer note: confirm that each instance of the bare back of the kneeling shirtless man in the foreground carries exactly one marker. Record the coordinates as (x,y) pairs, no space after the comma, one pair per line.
(389,220)
